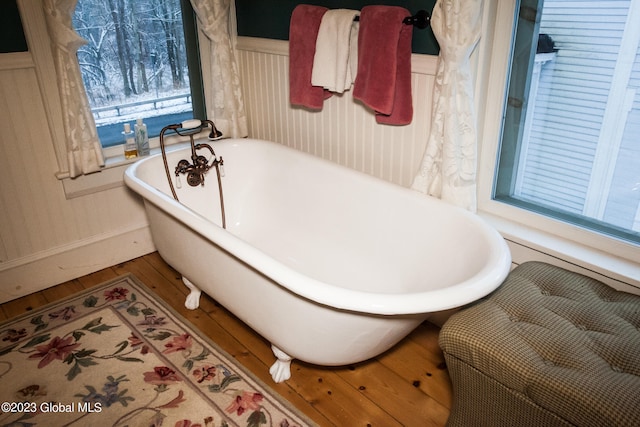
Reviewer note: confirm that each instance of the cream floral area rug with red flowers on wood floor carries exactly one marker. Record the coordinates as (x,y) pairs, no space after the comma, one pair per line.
(115,355)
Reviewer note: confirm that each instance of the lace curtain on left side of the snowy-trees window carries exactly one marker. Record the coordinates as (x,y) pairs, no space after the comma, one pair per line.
(83,146)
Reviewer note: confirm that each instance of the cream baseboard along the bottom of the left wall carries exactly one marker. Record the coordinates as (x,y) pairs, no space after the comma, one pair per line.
(45,269)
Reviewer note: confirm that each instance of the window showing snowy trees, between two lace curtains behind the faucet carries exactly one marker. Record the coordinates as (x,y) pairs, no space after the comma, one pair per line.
(141,61)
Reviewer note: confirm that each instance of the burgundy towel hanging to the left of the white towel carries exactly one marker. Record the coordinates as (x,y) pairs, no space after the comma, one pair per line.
(303,32)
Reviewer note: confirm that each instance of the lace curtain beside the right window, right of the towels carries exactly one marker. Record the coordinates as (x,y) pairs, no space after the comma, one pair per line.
(448,168)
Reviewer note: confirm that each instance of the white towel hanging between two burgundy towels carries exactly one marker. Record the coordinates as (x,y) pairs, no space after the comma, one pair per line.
(336,56)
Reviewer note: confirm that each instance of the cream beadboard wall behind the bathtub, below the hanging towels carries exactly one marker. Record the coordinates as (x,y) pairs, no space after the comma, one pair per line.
(344,131)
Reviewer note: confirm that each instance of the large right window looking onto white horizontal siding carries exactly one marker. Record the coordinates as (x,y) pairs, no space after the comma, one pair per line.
(570,146)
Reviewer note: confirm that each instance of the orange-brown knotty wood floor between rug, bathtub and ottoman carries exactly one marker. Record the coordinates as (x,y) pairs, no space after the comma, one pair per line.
(408,385)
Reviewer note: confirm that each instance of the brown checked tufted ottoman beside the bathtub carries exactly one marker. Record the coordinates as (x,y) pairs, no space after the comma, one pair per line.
(548,348)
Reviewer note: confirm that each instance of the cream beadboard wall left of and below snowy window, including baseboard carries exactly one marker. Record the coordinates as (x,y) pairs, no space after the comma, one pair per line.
(45,238)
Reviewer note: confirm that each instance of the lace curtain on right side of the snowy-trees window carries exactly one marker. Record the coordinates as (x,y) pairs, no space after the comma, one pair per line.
(225,107)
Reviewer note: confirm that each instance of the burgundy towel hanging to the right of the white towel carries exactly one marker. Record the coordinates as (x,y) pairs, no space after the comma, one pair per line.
(383,82)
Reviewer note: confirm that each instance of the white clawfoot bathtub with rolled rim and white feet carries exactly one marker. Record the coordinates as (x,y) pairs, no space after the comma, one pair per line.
(330,265)
